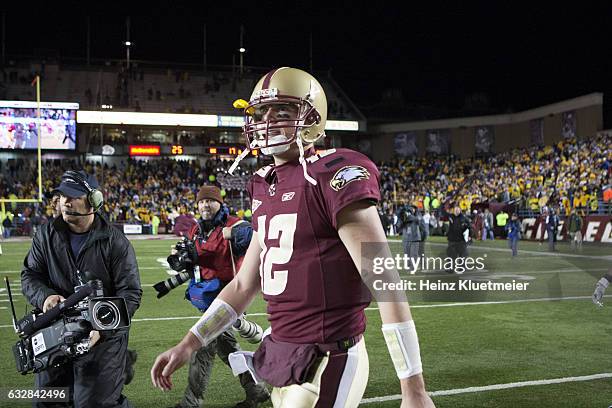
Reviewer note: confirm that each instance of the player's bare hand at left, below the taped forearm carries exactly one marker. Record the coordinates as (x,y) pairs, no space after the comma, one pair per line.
(171,360)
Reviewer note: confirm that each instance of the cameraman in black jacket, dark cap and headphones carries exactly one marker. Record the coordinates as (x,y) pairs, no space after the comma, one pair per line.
(78,242)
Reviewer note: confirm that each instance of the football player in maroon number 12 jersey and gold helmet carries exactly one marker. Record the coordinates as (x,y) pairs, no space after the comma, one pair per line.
(311,214)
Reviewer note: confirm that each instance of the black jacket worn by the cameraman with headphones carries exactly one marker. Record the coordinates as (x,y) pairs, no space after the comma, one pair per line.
(49,267)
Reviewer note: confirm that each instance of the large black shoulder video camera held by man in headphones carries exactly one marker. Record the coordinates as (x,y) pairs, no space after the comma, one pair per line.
(52,338)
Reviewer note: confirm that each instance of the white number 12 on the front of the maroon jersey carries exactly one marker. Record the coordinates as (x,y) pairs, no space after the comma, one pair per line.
(283,225)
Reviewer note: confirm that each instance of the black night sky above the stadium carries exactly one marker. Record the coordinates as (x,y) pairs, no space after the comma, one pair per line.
(520,56)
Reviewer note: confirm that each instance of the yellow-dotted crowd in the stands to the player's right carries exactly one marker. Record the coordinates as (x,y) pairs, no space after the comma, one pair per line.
(571,174)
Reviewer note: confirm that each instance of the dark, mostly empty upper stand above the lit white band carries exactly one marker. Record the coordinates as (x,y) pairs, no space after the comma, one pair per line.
(148,87)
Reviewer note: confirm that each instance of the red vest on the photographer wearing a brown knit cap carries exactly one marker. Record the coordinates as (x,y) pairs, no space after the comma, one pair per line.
(214,255)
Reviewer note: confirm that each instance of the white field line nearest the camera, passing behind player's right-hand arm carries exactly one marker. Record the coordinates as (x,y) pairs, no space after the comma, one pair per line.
(495,387)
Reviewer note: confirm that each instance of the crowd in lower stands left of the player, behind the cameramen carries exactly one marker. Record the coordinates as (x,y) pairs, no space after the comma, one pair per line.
(134,191)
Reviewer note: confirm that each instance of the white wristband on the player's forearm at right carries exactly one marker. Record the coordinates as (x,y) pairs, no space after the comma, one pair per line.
(403,344)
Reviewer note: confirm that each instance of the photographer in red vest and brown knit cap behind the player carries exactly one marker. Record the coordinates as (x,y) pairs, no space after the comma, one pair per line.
(218,238)
